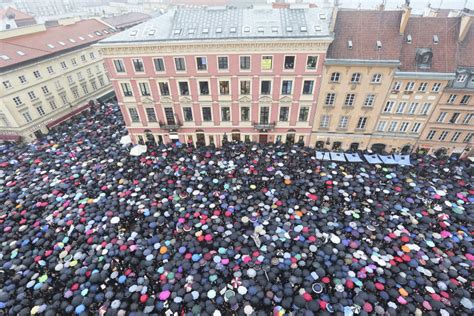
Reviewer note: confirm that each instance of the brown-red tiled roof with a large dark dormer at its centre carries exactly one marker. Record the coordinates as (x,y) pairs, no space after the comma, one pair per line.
(422,30)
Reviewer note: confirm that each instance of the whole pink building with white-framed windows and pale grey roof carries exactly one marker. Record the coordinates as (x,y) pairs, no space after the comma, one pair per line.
(204,76)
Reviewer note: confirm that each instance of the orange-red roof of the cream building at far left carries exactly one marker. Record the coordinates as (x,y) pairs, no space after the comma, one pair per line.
(35,45)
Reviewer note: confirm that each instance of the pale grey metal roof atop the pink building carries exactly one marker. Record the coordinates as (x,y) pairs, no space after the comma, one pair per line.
(230,23)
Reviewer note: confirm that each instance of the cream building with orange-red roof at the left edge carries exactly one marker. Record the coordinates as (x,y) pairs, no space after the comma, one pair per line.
(48,75)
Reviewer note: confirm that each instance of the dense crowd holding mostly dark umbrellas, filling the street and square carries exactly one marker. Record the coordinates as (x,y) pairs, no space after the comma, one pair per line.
(245,229)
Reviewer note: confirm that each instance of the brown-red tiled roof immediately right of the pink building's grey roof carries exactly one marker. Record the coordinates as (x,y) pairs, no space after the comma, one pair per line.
(364,28)
